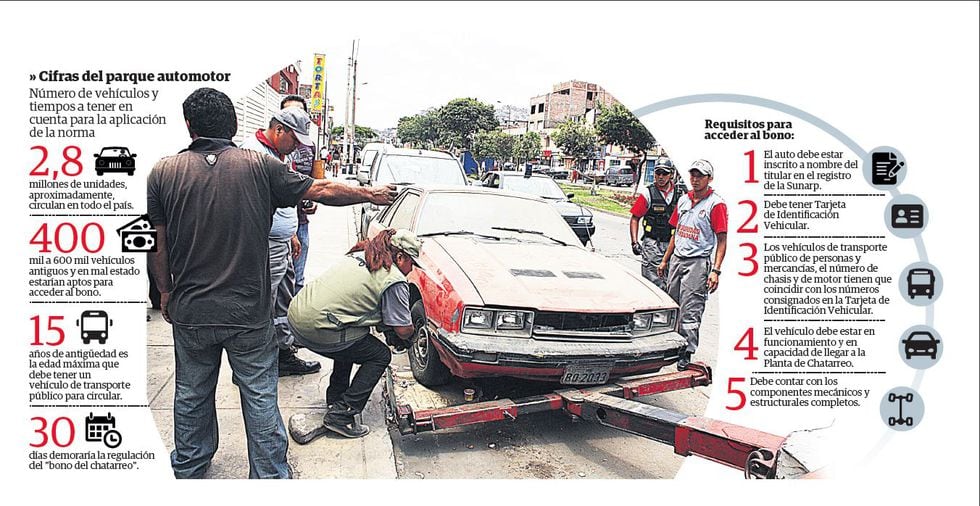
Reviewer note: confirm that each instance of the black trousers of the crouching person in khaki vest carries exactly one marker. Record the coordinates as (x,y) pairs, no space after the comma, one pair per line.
(373,356)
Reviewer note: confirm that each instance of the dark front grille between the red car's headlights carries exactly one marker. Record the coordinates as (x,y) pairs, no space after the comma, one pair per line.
(559,326)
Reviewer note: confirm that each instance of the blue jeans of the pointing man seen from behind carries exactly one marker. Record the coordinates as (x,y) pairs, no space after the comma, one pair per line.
(255,370)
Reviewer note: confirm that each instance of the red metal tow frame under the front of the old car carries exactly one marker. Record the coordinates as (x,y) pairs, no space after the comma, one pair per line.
(754,452)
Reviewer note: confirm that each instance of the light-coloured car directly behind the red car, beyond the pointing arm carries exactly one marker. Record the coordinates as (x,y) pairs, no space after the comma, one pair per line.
(401,166)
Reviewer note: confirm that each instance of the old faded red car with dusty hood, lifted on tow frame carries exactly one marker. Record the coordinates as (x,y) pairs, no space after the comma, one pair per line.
(506,289)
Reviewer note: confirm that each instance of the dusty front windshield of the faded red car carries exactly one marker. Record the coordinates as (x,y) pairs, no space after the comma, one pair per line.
(486,213)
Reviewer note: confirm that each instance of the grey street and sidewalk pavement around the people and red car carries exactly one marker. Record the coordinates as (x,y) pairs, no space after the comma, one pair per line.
(544,445)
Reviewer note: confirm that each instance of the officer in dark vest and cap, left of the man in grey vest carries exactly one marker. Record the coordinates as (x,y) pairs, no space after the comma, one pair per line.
(654,207)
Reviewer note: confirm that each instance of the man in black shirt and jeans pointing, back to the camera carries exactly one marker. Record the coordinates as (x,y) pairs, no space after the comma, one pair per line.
(211,205)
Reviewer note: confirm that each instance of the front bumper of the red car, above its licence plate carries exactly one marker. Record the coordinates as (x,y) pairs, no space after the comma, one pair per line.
(471,356)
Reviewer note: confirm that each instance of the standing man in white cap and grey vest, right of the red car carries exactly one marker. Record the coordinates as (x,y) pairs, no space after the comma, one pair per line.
(700,223)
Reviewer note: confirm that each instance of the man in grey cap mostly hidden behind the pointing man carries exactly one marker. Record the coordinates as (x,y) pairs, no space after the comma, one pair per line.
(288,128)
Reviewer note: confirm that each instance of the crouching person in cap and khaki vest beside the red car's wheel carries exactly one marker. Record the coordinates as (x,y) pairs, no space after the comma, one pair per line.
(332,316)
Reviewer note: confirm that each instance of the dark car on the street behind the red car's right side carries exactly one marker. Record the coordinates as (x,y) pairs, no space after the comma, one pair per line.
(577,217)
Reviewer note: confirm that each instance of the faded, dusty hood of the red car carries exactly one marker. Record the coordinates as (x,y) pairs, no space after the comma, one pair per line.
(549,277)
